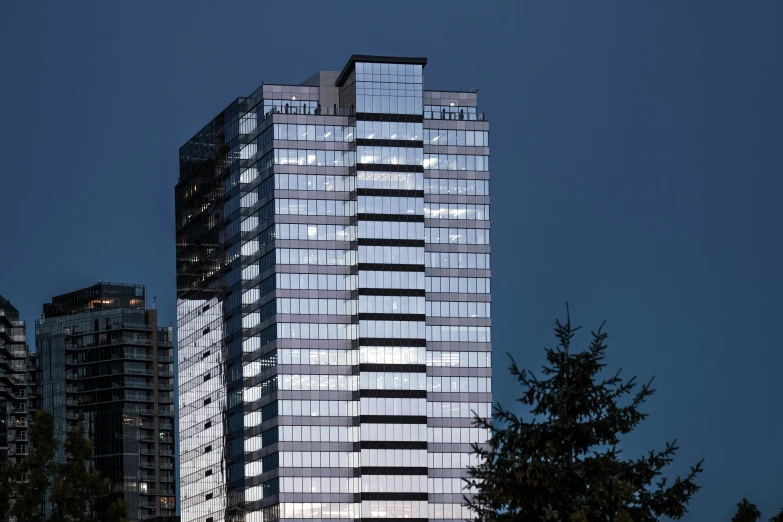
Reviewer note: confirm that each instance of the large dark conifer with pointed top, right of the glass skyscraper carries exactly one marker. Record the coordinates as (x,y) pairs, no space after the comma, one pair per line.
(561,462)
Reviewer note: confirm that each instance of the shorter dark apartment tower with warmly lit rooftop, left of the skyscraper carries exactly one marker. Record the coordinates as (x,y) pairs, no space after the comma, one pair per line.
(103,361)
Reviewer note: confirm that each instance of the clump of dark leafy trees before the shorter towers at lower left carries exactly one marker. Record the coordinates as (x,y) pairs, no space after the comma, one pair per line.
(72,486)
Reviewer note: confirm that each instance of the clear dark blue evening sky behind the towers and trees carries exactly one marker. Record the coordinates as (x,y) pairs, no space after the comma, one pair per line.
(636,172)
